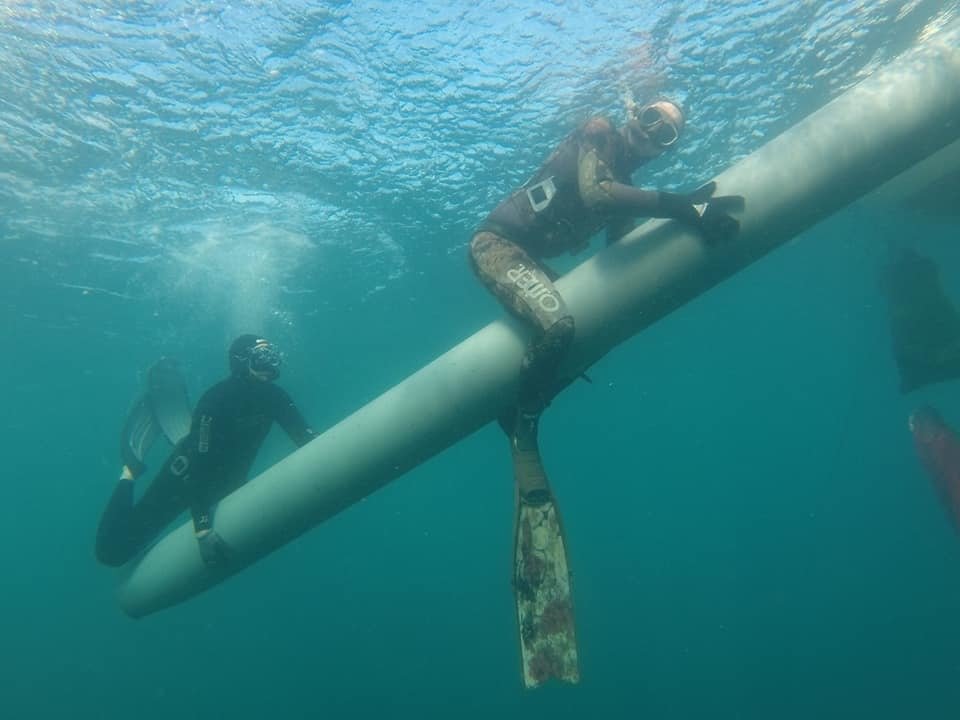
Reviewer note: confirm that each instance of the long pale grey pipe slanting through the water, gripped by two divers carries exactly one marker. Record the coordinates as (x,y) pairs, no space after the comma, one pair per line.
(873,132)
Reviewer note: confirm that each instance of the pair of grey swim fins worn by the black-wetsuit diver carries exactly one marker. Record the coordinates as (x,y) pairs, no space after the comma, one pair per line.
(163,408)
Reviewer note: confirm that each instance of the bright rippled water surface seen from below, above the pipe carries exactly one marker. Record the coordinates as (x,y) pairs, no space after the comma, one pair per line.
(143,139)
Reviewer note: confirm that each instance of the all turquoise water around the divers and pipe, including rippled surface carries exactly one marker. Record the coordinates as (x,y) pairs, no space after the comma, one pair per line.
(750,532)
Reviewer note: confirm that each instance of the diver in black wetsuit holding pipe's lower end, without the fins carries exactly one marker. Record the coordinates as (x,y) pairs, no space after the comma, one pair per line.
(227,429)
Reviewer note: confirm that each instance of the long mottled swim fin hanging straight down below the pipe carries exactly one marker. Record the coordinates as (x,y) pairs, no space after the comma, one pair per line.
(541,574)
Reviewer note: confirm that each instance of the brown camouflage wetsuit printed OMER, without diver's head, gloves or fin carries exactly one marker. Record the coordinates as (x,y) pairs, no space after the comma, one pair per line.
(583,187)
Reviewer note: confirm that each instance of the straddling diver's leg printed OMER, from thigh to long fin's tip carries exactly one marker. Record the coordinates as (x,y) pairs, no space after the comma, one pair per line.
(541,576)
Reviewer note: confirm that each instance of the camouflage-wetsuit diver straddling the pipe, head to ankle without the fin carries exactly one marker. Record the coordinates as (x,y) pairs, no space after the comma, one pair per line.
(583,187)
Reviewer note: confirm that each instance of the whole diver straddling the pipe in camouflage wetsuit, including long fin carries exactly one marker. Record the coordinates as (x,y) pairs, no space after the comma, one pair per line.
(584,186)
